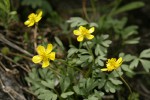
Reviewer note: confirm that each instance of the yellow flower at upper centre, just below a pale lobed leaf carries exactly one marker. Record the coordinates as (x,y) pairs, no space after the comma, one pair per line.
(82,33)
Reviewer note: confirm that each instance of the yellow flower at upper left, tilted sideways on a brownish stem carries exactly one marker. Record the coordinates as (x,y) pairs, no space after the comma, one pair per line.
(33,18)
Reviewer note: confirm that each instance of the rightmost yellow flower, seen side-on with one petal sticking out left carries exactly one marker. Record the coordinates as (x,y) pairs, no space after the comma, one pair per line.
(112,64)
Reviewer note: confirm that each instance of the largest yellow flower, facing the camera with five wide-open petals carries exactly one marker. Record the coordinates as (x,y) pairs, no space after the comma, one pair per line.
(44,55)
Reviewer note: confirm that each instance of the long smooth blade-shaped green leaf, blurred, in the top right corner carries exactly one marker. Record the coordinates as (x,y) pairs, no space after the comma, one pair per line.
(128,7)
